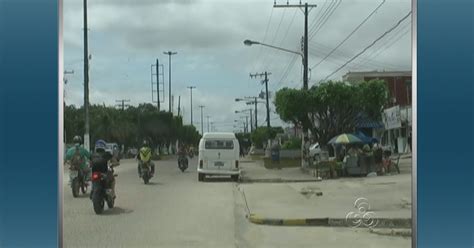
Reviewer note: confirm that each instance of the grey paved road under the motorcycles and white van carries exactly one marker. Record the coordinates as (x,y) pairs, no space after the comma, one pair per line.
(175,210)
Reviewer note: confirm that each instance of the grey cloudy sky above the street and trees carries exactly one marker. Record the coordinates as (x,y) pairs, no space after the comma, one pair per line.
(127,36)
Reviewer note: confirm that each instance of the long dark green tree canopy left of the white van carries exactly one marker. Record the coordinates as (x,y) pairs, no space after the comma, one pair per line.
(130,126)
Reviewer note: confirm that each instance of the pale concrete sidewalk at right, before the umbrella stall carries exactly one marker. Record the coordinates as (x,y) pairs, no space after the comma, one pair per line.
(327,201)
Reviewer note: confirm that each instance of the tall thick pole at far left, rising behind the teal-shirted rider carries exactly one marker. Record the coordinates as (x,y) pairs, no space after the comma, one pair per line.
(86,81)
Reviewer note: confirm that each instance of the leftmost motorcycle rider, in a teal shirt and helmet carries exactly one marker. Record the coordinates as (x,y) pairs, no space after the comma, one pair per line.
(79,156)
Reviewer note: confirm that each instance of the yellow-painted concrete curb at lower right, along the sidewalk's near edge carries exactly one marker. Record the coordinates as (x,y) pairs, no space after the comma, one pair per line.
(330,222)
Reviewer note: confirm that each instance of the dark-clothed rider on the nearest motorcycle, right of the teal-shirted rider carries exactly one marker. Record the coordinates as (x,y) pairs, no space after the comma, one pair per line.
(100,160)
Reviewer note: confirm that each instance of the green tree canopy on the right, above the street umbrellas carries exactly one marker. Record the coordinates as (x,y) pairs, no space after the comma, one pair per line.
(331,108)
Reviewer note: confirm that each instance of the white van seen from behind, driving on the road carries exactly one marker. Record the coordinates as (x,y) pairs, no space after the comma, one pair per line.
(218,155)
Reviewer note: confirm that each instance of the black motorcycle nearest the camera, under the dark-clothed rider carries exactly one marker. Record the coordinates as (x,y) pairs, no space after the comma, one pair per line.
(101,190)
